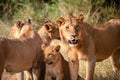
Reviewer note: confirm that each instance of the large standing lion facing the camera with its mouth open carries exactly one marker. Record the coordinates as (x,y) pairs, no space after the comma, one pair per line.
(87,43)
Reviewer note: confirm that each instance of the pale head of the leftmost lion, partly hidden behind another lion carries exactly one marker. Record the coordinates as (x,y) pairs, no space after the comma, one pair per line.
(15,31)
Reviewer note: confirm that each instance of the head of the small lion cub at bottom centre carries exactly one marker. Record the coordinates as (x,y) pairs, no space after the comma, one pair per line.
(51,53)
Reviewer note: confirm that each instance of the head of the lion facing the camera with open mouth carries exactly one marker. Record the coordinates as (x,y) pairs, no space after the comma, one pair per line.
(72,29)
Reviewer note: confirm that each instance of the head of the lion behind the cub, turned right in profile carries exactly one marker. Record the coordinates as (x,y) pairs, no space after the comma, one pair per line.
(49,31)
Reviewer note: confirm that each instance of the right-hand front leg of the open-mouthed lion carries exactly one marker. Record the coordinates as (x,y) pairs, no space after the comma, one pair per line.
(90,67)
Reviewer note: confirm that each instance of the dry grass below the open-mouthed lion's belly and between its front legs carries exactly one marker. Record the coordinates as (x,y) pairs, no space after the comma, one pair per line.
(103,71)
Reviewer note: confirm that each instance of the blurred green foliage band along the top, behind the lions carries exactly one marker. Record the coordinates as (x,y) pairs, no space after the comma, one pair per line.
(96,12)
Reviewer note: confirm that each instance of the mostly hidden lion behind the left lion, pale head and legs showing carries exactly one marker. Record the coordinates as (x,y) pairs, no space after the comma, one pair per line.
(14,34)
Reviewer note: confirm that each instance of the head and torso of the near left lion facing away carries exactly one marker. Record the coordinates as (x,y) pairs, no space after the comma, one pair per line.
(20,54)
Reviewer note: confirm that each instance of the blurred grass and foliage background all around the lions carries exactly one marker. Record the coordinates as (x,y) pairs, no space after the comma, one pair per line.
(96,13)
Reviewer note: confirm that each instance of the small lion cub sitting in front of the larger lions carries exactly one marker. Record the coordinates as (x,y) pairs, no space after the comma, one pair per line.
(56,66)
